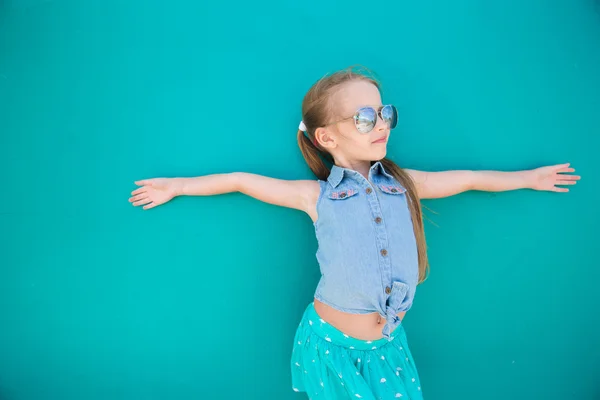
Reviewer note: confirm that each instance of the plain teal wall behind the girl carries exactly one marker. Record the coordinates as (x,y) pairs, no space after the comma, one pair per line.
(199,299)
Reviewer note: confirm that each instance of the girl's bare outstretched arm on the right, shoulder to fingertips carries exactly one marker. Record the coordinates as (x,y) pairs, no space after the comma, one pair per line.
(433,185)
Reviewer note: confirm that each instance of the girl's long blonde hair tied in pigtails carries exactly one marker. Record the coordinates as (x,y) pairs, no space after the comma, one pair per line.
(317,111)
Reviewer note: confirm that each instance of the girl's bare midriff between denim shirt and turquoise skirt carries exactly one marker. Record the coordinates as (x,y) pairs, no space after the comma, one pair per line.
(360,326)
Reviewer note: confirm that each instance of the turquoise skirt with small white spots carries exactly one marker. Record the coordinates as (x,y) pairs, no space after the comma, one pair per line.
(328,364)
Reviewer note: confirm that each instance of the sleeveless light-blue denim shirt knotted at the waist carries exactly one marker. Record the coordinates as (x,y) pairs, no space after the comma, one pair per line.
(367,248)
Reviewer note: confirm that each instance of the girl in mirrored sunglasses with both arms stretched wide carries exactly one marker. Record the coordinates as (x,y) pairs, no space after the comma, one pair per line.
(366,210)
